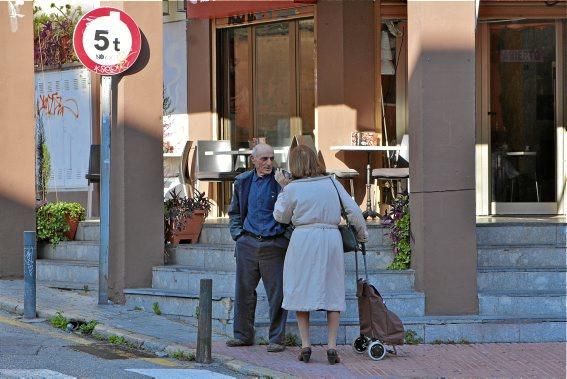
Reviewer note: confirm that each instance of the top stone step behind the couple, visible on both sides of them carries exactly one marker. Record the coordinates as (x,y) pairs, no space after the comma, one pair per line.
(216,231)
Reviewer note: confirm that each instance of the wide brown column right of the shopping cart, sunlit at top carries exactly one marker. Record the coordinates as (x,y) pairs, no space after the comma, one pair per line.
(441,97)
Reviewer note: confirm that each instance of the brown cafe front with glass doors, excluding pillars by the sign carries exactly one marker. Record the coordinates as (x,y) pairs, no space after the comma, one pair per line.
(478,86)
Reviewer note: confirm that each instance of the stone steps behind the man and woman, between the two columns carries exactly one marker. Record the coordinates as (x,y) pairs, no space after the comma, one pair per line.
(175,287)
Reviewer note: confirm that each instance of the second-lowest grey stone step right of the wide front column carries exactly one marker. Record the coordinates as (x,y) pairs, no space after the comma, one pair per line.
(521,304)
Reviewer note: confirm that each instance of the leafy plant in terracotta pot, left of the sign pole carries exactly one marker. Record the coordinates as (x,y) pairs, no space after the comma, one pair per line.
(58,221)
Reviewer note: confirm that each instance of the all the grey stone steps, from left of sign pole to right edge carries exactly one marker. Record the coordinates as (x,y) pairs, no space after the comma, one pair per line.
(522,283)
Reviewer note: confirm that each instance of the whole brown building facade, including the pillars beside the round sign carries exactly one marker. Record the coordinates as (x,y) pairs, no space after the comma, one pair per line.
(479,87)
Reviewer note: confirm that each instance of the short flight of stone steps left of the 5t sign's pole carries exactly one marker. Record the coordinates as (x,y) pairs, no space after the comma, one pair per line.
(71,264)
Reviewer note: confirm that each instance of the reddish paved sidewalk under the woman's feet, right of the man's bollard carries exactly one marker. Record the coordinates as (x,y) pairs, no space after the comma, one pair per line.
(541,360)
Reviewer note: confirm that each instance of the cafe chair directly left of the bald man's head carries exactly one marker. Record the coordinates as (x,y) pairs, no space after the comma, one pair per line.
(214,168)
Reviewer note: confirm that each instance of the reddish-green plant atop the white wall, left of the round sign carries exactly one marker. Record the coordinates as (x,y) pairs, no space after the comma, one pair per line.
(53,35)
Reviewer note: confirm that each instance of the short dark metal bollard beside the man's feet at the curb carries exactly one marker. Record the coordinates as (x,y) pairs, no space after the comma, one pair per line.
(204,331)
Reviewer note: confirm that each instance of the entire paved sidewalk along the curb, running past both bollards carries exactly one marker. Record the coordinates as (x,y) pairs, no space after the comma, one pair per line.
(157,333)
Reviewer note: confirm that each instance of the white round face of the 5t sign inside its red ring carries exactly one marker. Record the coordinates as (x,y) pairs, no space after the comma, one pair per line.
(107,40)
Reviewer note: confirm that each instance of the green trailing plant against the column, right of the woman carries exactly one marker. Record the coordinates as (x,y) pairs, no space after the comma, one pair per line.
(398,219)
